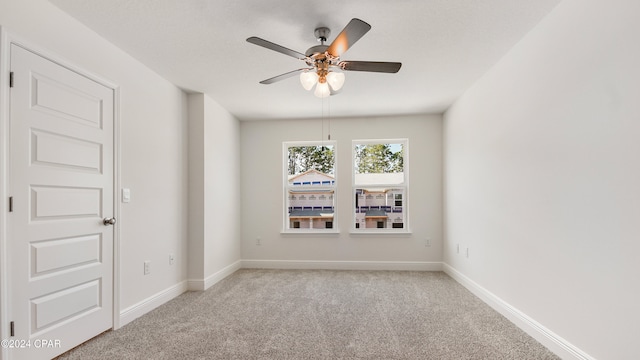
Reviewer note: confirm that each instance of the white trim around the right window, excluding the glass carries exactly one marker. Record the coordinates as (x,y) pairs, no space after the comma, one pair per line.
(405,185)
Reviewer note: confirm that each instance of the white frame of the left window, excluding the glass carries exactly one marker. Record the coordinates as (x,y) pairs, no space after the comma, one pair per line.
(285,189)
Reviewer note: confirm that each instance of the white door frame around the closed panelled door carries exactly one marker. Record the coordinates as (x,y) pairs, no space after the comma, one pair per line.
(6,40)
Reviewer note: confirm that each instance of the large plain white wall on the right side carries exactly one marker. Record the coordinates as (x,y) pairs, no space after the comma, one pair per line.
(543,173)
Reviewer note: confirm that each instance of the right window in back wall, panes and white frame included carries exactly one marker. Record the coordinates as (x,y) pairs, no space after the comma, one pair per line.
(380,185)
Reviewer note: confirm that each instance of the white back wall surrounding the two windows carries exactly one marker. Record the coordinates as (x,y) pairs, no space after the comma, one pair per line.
(262,193)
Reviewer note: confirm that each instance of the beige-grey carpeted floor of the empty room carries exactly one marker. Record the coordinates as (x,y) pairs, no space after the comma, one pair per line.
(320,314)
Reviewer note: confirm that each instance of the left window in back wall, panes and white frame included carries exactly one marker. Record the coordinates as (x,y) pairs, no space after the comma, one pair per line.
(310,186)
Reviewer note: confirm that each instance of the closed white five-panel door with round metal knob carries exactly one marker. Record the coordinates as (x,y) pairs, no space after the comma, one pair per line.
(61,184)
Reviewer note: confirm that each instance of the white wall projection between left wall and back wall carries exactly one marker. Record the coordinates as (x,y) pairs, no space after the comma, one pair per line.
(214,192)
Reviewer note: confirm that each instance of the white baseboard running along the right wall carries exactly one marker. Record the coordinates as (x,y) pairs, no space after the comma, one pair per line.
(546,337)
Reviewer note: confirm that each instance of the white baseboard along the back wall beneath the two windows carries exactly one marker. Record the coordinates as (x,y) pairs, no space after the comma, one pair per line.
(342,265)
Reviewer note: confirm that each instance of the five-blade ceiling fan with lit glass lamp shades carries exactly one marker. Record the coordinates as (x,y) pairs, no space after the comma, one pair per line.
(324,66)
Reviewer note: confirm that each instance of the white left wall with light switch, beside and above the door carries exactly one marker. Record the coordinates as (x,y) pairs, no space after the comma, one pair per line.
(153,120)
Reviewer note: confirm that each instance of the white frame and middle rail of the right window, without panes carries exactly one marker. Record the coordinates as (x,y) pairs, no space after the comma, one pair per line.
(404,187)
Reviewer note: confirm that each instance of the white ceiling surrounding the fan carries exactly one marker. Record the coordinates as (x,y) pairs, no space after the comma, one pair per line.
(200,45)
